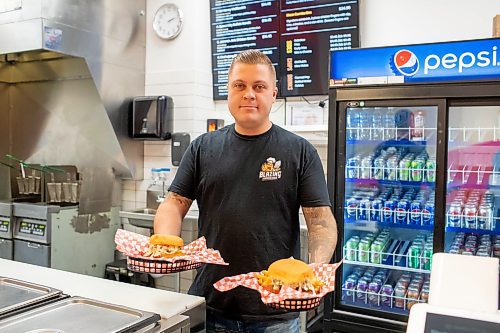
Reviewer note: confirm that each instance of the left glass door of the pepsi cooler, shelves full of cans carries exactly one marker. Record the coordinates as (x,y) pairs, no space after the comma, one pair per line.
(390,172)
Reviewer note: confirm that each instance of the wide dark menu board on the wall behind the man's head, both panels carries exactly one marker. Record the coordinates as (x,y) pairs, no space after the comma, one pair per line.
(297,35)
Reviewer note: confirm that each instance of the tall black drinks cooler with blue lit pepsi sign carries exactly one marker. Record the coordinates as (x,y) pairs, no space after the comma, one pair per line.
(413,169)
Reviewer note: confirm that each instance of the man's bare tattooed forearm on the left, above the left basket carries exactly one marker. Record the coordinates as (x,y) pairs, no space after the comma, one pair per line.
(168,218)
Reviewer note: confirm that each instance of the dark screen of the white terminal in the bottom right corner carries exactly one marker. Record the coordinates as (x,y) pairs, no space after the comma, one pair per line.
(437,323)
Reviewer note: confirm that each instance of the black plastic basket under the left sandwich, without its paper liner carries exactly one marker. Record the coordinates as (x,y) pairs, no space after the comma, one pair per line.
(159,266)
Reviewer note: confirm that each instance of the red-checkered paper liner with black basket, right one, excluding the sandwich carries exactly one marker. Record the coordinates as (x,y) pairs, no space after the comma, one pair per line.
(288,298)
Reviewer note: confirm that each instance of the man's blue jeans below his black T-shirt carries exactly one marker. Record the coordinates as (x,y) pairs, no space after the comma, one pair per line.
(216,324)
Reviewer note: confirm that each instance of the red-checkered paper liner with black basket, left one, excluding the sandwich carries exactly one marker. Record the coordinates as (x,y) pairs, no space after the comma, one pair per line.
(134,245)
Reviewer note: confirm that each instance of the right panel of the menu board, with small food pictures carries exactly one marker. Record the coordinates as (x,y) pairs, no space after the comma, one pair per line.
(309,30)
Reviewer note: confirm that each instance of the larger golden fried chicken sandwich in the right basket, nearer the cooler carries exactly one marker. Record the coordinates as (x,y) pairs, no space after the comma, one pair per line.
(292,273)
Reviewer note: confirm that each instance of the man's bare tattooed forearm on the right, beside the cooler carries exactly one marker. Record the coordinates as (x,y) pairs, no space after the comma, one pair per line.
(322,231)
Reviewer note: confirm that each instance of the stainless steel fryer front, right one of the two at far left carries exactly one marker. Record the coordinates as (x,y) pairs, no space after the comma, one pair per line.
(32,233)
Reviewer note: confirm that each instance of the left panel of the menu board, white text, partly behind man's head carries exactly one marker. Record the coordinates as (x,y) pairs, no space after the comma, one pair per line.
(237,26)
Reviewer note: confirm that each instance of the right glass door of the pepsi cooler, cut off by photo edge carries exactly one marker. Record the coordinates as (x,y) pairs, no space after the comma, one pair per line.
(473,180)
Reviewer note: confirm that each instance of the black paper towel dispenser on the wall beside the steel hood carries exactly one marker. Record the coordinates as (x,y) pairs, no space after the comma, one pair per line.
(151,118)
